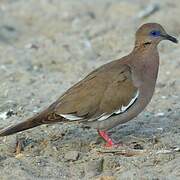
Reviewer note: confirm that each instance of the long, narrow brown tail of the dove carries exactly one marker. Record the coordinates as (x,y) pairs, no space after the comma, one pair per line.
(37,120)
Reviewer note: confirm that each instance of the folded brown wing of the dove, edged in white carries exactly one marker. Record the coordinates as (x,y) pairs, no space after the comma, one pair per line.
(106,91)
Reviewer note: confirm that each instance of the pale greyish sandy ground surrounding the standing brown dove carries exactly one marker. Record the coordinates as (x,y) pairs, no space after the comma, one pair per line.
(48,45)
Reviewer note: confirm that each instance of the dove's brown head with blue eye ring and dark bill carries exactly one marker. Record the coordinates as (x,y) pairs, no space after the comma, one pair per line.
(152,33)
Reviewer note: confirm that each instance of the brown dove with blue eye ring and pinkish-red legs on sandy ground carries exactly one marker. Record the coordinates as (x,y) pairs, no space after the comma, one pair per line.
(112,94)
